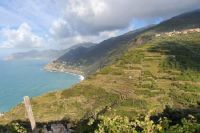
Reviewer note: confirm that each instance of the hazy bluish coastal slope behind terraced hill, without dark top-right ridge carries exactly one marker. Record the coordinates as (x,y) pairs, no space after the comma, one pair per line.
(88,60)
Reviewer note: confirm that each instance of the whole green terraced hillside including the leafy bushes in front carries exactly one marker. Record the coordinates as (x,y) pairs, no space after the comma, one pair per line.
(160,77)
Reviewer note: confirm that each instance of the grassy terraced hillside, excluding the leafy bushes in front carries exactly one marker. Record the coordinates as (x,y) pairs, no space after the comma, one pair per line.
(164,71)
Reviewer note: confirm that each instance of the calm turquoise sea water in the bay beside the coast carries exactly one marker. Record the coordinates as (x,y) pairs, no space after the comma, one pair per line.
(26,78)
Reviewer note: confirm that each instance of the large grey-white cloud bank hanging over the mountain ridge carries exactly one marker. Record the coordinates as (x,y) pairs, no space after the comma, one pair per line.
(91,17)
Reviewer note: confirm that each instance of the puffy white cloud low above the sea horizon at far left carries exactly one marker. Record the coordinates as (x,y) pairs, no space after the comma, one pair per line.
(21,38)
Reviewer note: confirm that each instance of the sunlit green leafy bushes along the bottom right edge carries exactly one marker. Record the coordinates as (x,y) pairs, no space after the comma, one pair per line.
(118,124)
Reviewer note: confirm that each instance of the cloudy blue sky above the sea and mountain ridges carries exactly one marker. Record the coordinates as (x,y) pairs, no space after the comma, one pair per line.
(43,24)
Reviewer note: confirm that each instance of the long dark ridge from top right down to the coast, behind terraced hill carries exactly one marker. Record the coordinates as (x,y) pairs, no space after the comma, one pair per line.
(94,58)
